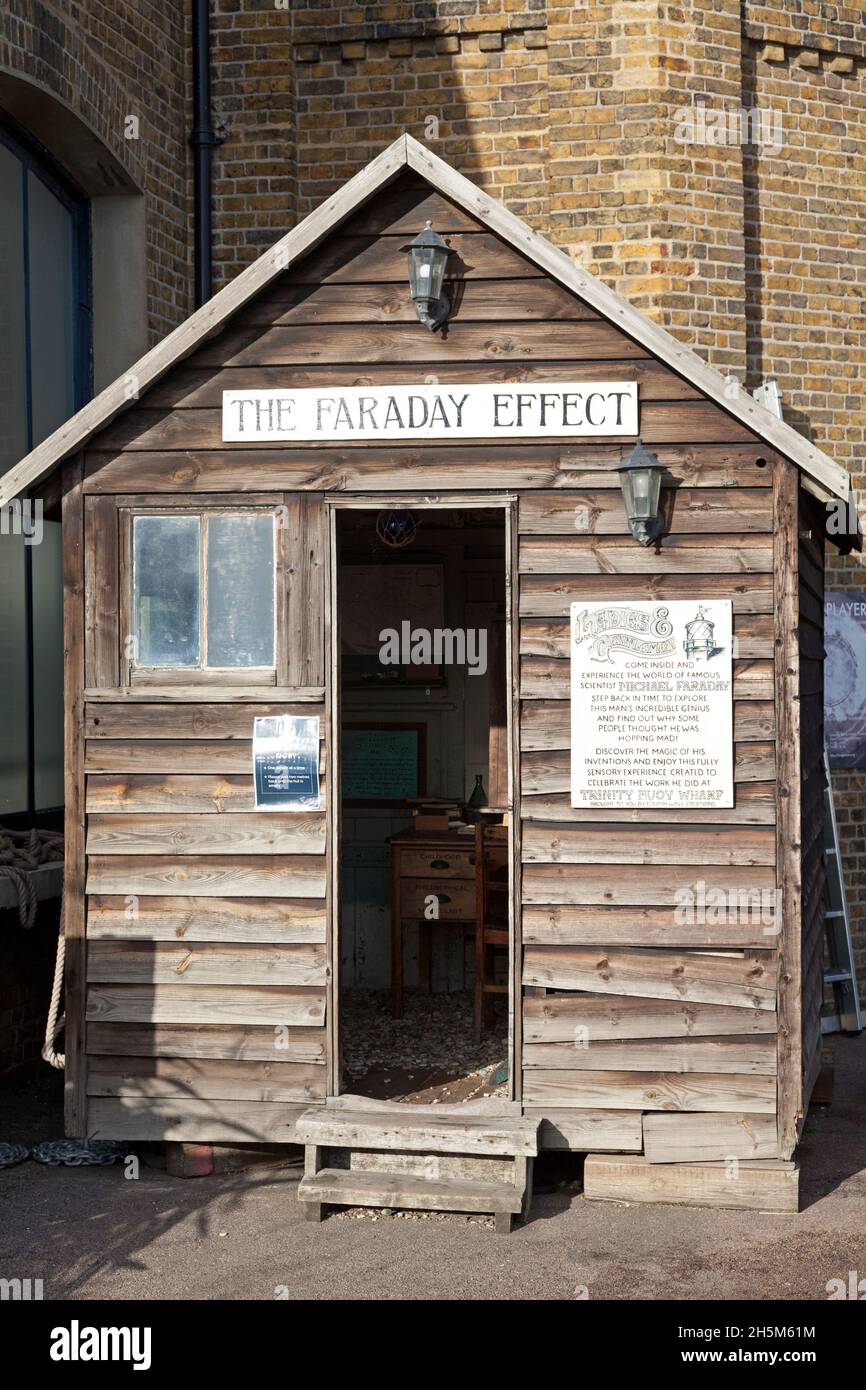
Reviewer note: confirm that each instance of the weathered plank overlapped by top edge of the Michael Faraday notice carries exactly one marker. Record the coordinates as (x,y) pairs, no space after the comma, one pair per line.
(551,596)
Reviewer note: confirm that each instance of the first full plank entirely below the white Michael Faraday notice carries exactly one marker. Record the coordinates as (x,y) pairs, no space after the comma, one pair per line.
(594,844)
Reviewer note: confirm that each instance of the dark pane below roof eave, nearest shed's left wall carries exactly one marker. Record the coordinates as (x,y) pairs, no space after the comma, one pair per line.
(48,667)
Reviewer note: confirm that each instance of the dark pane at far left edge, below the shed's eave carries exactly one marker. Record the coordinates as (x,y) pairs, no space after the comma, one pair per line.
(13,680)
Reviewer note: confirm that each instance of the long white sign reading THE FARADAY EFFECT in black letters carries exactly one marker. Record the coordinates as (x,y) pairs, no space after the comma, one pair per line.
(473,412)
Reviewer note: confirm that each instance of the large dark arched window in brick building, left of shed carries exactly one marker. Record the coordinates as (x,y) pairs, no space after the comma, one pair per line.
(45,377)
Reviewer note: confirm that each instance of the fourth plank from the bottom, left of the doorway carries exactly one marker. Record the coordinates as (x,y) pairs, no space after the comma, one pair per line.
(206,1004)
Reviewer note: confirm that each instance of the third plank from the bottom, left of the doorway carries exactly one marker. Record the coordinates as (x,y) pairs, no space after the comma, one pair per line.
(250,1043)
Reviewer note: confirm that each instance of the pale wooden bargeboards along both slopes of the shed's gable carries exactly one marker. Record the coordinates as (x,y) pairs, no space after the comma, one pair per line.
(822,476)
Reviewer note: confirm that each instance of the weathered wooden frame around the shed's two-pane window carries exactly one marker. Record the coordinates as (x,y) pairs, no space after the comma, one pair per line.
(204,676)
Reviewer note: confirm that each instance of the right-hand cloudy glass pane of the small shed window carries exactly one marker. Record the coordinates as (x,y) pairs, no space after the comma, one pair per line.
(241,591)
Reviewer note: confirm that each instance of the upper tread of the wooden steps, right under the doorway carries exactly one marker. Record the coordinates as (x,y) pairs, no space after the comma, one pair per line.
(398,1128)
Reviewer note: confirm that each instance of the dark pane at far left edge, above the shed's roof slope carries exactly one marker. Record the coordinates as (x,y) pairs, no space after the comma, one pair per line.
(13,394)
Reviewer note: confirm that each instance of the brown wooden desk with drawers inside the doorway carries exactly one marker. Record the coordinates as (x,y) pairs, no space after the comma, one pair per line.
(425,864)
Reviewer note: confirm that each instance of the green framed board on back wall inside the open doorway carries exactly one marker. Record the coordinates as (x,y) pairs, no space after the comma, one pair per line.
(383,765)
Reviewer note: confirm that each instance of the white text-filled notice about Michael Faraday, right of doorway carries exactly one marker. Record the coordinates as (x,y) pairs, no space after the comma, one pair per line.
(653,704)
